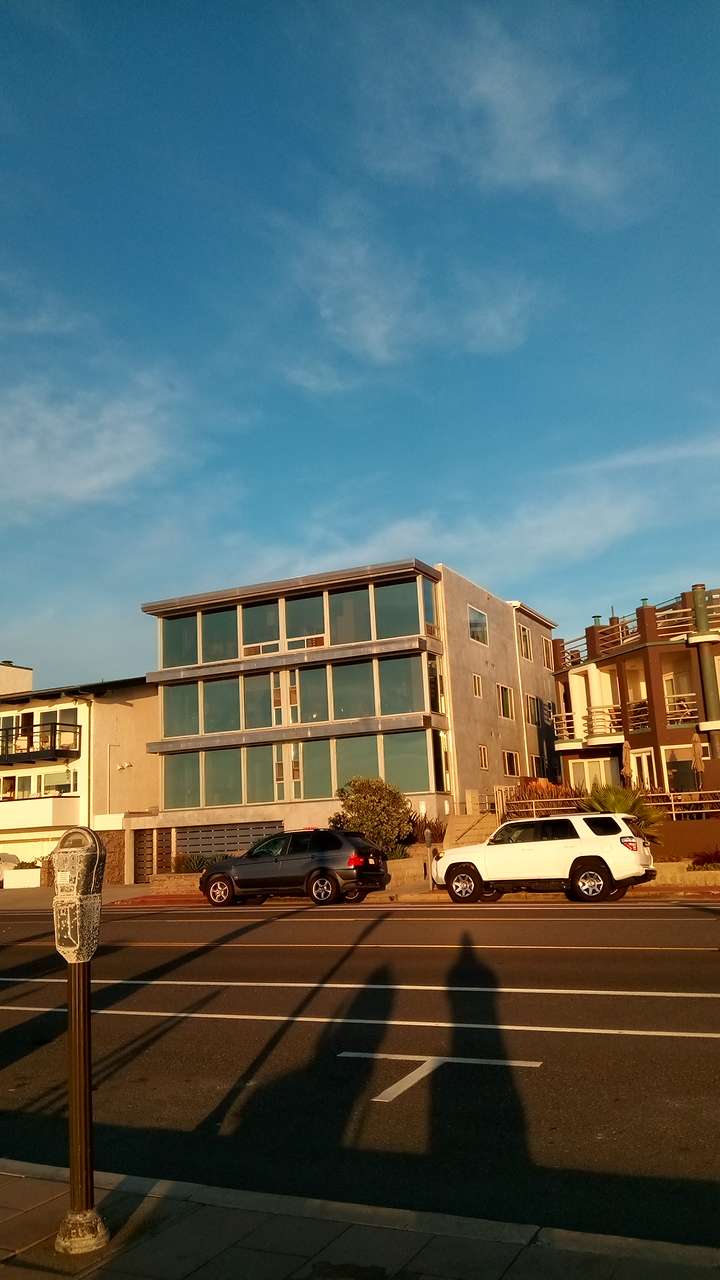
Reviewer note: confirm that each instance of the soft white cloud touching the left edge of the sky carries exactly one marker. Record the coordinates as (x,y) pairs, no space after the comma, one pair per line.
(80,446)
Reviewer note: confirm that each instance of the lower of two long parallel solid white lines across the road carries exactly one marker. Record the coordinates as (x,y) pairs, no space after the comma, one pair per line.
(363,1022)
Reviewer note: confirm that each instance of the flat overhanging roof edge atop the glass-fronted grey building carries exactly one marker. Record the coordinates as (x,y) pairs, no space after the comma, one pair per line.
(291,587)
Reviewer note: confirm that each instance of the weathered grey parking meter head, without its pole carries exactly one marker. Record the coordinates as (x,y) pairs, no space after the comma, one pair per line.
(79,863)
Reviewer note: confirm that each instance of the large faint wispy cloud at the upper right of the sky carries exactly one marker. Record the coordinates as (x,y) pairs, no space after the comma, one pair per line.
(503,104)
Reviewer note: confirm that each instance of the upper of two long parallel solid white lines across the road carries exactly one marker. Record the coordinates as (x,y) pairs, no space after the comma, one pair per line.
(17,980)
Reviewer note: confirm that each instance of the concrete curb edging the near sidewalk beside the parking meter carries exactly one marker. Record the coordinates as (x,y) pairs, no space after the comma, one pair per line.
(395,1219)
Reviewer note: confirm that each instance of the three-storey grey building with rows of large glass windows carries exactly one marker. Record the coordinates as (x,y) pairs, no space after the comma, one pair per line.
(274,696)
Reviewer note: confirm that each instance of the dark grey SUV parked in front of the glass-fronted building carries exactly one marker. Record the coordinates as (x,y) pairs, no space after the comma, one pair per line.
(327,866)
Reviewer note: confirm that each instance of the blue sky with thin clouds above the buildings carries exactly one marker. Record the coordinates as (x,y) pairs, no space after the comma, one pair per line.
(297,285)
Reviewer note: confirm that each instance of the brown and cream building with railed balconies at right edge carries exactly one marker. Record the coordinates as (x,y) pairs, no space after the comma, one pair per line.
(649,680)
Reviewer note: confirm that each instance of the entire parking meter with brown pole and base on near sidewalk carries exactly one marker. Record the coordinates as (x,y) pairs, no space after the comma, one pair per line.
(79,863)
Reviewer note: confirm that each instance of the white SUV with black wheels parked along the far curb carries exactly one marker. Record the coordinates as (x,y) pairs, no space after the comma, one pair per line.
(590,857)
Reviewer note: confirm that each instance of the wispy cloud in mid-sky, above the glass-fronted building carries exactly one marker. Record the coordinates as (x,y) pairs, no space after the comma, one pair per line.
(379,307)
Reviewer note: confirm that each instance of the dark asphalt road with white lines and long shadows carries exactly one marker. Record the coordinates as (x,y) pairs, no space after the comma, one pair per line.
(532,1063)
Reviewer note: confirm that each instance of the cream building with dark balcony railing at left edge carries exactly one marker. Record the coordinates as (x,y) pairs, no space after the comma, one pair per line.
(75,756)
